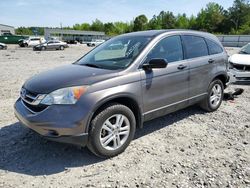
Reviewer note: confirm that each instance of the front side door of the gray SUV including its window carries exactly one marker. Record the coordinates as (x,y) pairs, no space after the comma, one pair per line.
(165,90)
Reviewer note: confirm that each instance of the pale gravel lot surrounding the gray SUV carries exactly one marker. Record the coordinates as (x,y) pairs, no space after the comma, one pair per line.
(189,148)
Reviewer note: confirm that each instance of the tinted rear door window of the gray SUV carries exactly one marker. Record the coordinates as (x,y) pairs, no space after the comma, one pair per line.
(195,46)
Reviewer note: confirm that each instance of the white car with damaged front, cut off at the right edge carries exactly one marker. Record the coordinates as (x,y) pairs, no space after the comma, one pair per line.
(239,64)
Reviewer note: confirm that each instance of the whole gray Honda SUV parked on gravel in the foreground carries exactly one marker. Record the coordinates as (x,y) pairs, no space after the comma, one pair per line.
(102,98)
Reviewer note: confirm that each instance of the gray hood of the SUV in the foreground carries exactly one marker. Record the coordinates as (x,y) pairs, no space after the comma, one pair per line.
(67,76)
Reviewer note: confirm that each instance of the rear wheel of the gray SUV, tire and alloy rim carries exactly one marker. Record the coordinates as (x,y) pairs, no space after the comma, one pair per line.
(215,96)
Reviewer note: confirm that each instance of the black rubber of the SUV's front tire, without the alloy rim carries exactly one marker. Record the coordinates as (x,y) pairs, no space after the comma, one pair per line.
(102,117)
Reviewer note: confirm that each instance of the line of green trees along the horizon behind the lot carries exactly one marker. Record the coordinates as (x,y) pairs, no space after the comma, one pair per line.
(213,18)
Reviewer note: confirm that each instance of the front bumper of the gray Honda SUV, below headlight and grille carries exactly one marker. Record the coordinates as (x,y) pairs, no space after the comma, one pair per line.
(57,123)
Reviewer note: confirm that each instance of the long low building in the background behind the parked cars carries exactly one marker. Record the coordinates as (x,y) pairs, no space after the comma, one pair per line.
(73,35)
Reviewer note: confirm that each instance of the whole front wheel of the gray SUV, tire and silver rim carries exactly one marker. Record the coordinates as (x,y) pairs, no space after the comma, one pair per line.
(104,136)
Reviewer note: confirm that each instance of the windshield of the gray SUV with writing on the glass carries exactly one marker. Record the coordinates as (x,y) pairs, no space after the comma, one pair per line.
(116,53)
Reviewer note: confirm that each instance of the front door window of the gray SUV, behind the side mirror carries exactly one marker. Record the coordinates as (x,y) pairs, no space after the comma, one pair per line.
(169,48)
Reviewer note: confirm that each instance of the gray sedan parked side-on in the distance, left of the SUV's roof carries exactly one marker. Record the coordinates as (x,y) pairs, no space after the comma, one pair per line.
(51,45)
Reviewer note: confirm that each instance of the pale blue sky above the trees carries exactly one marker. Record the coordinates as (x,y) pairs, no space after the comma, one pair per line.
(50,13)
